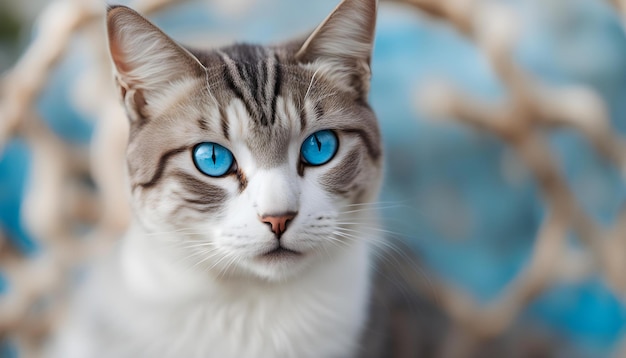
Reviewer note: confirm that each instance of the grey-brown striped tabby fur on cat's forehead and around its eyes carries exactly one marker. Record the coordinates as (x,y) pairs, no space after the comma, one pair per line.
(260,77)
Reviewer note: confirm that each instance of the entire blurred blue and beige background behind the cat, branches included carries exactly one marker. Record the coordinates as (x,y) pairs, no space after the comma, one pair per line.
(502,125)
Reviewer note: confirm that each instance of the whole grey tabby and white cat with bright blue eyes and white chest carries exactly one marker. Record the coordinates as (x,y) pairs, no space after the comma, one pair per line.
(252,170)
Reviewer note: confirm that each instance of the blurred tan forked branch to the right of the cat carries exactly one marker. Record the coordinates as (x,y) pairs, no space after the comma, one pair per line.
(519,120)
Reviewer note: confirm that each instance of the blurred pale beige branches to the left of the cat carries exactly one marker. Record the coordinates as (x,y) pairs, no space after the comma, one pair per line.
(52,207)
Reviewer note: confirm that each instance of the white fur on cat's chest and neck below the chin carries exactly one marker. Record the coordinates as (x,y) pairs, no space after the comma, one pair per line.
(171,311)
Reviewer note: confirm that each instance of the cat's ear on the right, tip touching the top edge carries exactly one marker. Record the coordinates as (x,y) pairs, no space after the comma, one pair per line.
(342,44)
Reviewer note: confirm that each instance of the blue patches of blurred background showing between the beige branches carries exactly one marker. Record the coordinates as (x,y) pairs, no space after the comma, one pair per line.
(460,198)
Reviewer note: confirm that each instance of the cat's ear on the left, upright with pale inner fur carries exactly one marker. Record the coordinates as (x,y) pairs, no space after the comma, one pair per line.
(148,63)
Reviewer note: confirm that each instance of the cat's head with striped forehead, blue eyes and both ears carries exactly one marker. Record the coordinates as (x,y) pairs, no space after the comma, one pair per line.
(255,160)
